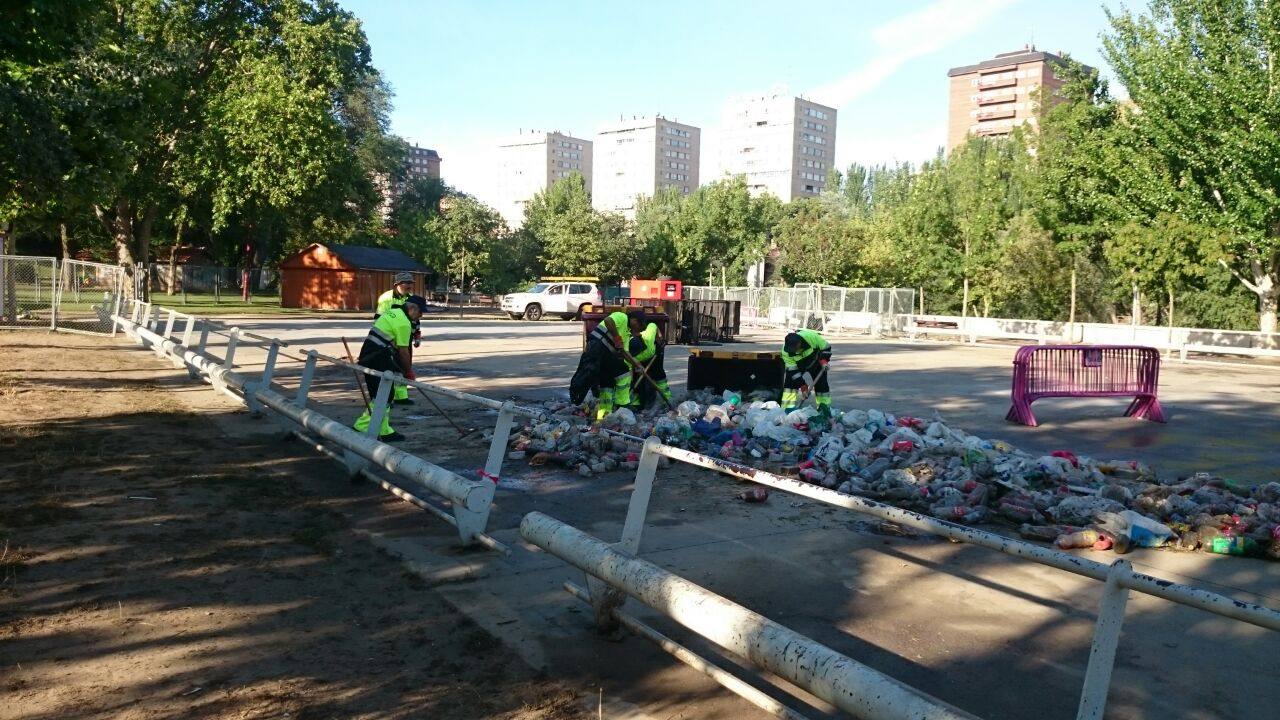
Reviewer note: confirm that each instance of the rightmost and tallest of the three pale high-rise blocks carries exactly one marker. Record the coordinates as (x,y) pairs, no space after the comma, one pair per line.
(781,144)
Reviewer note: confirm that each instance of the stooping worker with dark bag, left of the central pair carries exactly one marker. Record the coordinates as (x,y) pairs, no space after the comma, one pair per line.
(606,364)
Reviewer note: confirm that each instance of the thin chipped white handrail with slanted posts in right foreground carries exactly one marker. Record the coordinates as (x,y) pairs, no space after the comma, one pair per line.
(1119,578)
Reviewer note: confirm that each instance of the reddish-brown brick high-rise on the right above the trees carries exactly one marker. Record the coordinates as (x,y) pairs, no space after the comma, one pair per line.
(994,97)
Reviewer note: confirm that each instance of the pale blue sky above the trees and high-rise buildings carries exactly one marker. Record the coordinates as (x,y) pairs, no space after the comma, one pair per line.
(469,72)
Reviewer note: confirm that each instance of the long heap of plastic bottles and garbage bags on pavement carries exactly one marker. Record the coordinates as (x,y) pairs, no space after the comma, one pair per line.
(931,468)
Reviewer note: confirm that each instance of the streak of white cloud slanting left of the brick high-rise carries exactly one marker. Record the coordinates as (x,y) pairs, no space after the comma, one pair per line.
(907,38)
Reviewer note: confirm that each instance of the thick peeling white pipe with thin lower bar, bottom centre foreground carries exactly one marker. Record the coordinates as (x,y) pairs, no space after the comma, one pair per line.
(806,663)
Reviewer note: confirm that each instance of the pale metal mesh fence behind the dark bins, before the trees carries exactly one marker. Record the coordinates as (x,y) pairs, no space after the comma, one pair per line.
(816,307)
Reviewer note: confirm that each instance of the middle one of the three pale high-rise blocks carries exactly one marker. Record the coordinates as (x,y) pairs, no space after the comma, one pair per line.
(641,157)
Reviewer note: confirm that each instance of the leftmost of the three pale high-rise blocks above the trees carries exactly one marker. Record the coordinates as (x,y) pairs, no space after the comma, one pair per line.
(531,163)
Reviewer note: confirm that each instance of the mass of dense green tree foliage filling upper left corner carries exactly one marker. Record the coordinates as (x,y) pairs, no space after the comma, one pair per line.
(255,126)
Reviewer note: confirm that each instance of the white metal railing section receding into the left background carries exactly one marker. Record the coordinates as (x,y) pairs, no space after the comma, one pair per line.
(470,500)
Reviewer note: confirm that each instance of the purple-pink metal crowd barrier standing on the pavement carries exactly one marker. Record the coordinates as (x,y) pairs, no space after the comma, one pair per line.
(1086,371)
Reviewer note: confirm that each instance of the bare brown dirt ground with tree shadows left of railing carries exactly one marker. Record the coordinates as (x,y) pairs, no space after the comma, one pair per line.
(153,566)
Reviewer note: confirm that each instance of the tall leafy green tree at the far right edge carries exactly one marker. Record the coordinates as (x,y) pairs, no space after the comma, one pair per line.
(1206,135)
